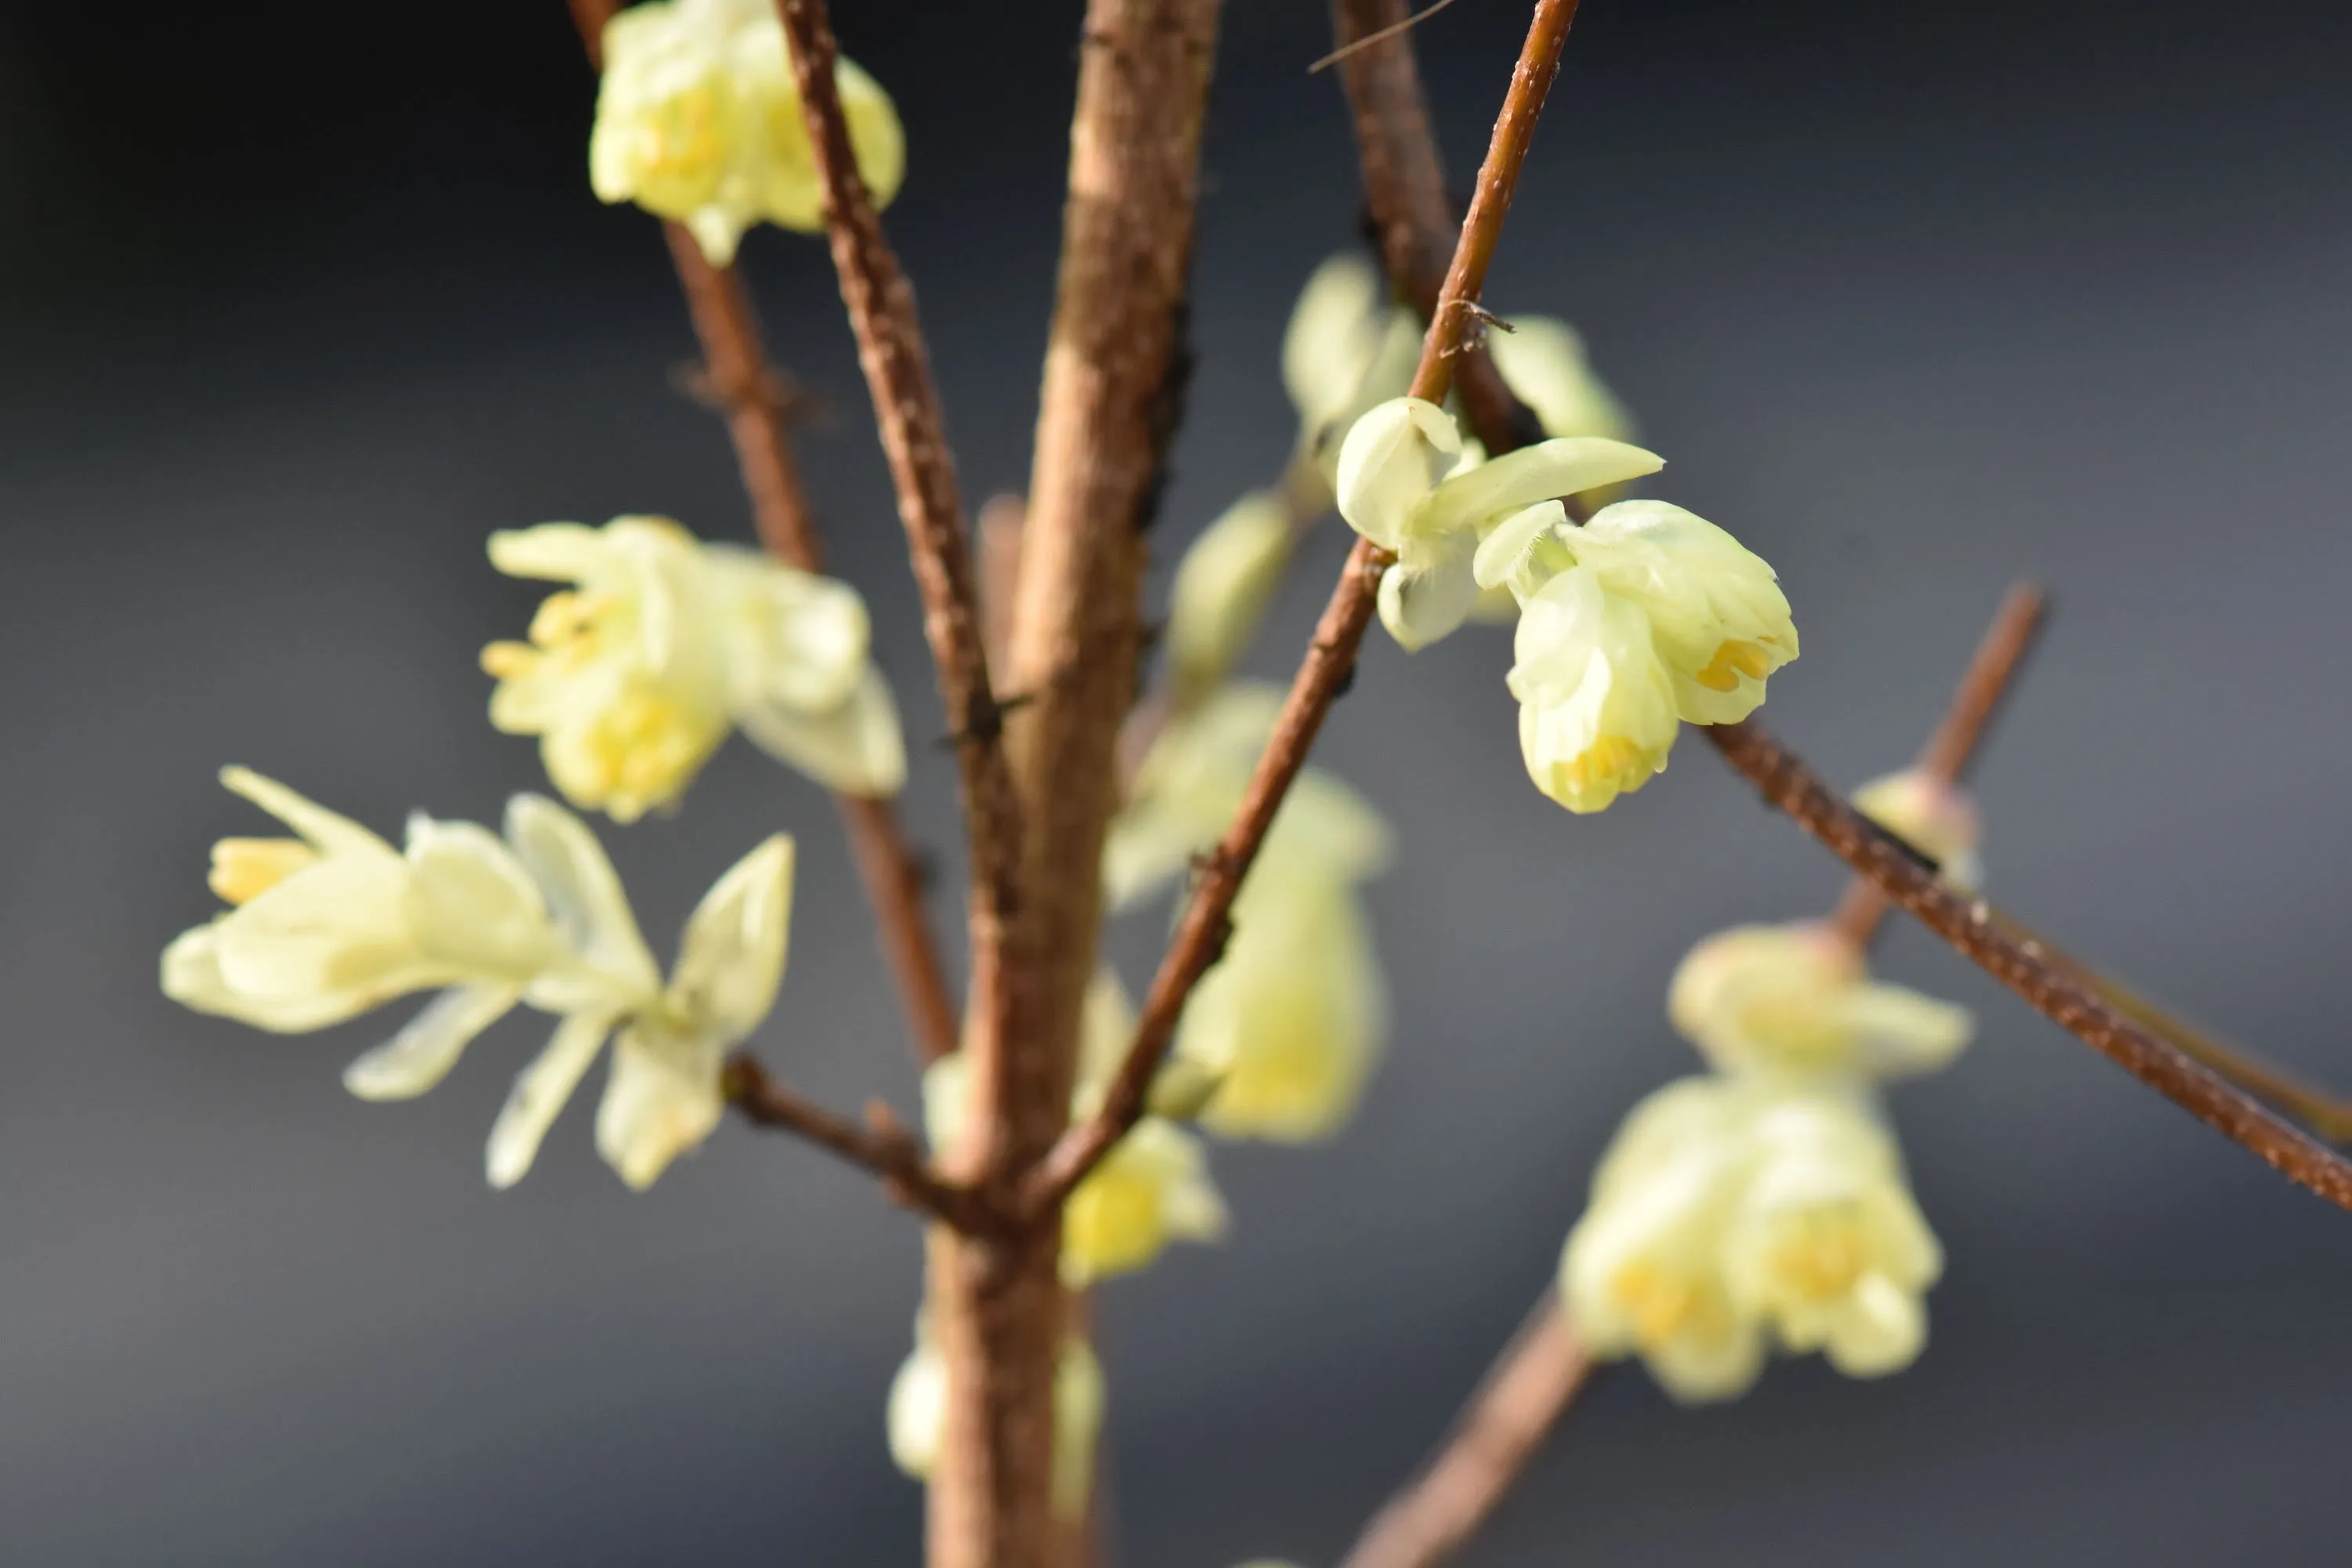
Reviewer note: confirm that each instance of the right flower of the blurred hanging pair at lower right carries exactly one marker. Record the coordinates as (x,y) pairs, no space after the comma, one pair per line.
(1826,1240)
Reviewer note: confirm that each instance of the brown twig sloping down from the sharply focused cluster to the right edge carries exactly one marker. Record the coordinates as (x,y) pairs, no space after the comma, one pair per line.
(2019,963)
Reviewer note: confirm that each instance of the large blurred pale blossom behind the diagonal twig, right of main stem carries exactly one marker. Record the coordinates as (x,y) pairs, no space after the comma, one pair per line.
(1292,1019)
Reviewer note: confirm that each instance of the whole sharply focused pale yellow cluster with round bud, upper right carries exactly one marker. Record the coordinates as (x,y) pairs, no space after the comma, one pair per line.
(1629,624)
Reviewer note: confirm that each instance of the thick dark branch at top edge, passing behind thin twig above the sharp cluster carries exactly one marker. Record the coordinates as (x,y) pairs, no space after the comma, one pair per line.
(1405,187)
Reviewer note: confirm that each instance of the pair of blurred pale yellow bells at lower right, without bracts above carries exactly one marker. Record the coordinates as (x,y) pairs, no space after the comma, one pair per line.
(1737,1214)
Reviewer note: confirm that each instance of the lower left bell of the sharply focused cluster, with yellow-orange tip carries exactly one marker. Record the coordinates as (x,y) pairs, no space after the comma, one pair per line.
(1596,702)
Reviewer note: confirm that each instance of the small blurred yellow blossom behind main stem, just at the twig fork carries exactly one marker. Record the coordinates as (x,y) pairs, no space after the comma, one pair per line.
(1151,1191)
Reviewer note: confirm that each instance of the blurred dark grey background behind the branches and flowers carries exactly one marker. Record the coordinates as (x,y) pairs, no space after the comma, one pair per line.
(1918,300)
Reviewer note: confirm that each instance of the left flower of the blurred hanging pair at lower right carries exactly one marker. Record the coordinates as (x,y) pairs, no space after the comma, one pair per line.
(1643,1271)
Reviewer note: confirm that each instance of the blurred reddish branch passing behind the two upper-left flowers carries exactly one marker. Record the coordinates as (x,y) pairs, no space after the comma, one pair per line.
(749,394)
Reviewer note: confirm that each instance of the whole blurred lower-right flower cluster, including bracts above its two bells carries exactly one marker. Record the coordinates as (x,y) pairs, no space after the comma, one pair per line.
(1765,1205)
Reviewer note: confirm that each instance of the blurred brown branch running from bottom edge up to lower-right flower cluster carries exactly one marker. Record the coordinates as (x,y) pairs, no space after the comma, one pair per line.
(1506,1421)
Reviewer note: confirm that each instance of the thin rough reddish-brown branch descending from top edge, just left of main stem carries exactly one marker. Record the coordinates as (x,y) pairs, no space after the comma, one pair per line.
(923,474)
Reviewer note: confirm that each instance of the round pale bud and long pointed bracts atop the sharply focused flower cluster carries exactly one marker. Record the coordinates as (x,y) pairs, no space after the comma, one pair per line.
(1401,488)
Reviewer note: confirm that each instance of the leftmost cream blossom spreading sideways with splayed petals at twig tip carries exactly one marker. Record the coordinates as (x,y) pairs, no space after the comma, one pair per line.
(338,923)
